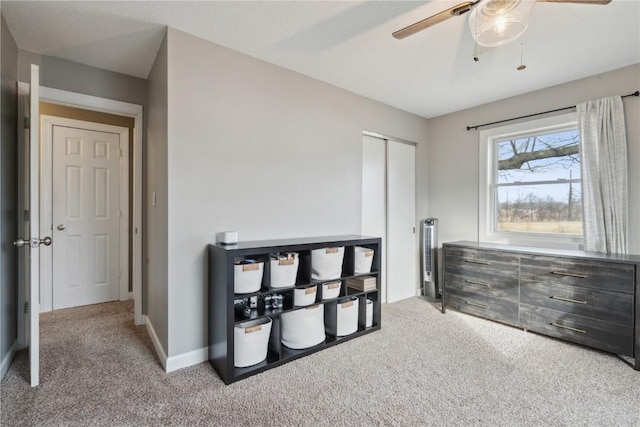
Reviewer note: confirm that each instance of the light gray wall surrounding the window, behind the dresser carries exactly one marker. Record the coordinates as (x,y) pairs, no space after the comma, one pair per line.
(453,151)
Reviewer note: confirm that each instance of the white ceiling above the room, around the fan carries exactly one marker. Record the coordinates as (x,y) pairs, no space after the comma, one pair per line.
(345,43)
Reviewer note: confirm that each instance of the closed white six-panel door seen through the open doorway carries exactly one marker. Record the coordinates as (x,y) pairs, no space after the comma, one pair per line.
(86,210)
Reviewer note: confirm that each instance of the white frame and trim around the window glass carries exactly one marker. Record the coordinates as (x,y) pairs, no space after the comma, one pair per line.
(487,215)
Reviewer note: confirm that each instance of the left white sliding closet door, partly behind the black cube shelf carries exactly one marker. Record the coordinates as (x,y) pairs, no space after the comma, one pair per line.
(374,197)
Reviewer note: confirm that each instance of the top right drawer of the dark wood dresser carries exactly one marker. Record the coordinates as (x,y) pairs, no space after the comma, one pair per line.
(608,276)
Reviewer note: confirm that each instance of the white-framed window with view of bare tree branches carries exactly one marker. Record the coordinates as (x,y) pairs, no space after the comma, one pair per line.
(530,186)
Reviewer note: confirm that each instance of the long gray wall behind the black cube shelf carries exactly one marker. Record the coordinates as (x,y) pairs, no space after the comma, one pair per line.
(261,150)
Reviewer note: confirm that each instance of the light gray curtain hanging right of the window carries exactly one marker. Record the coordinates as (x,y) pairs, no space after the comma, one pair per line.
(603,154)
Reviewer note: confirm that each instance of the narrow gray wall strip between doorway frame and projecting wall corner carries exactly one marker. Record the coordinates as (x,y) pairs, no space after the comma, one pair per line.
(155,241)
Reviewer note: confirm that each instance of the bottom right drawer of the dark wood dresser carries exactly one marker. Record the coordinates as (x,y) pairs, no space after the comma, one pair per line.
(581,330)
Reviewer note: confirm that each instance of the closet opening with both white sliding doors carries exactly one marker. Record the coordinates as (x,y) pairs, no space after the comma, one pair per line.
(389,210)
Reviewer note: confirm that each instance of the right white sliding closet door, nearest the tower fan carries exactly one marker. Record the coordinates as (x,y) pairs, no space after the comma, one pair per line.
(401,221)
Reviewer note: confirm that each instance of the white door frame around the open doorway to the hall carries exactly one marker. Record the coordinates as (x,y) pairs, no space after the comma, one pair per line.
(104,105)
